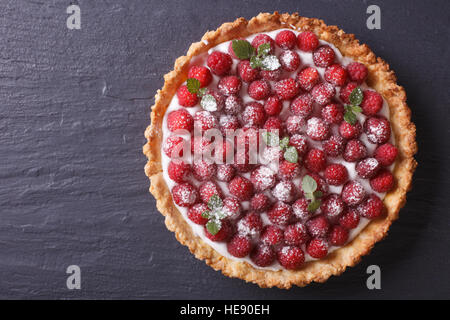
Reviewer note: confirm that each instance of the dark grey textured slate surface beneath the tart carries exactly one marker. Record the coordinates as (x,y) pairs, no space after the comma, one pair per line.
(74,106)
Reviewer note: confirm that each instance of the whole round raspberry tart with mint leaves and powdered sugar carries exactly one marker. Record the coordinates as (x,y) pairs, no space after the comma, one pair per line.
(280,150)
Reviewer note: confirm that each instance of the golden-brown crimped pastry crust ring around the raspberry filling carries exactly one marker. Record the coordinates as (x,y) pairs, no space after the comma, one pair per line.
(381,78)
